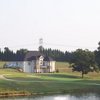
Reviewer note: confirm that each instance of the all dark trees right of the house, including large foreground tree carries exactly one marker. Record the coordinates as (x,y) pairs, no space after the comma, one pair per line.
(83,61)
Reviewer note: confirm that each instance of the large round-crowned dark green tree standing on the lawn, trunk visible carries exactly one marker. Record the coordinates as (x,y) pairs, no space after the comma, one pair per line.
(84,61)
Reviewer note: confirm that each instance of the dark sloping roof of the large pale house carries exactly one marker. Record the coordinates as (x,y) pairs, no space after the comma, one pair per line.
(34,55)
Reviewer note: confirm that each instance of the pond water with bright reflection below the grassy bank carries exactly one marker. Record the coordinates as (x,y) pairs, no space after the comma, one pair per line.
(89,96)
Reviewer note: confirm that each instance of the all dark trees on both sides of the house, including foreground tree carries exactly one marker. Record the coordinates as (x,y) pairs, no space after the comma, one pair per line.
(80,60)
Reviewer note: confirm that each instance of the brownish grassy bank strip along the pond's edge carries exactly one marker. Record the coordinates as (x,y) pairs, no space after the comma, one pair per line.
(22,94)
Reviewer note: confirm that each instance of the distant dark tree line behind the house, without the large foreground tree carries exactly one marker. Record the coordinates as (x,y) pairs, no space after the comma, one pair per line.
(57,55)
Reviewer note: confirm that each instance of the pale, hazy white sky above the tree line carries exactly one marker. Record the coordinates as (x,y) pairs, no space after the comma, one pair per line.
(62,24)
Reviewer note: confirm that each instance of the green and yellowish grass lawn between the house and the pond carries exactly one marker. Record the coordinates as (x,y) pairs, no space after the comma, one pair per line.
(48,83)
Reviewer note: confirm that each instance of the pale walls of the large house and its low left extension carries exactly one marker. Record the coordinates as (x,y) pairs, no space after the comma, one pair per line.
(29,66)
